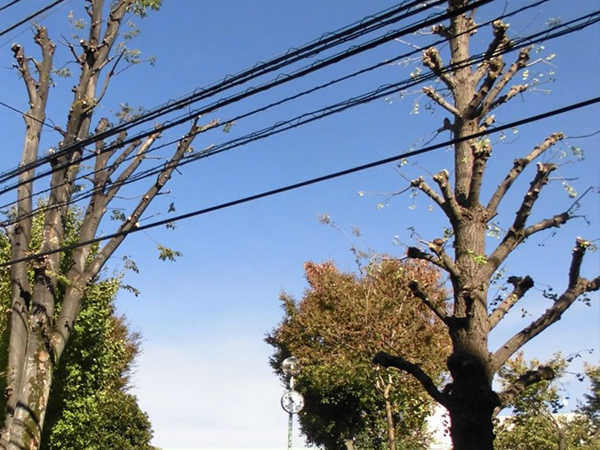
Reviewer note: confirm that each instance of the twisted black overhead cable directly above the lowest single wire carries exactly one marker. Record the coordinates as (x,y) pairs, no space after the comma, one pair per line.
(382,91)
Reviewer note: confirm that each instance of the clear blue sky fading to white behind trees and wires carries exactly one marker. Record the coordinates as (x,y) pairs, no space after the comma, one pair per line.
(203,376)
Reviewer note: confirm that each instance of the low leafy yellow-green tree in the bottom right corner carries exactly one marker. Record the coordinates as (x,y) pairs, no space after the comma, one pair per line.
(538,420)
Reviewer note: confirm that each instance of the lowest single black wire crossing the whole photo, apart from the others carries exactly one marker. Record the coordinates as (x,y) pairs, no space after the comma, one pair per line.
(310,181)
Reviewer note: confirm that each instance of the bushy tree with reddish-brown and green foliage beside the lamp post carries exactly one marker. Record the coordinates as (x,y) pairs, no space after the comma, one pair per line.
(335,328)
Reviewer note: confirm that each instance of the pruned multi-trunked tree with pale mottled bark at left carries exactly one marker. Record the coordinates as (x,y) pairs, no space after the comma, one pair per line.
(39,330)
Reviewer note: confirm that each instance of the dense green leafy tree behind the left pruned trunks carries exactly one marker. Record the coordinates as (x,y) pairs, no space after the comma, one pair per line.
(89,406)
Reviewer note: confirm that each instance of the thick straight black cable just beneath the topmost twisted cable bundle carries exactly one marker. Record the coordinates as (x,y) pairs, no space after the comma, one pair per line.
(236,97)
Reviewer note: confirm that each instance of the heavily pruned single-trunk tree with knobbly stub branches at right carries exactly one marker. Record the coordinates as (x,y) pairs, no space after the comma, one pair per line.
(471,95)
